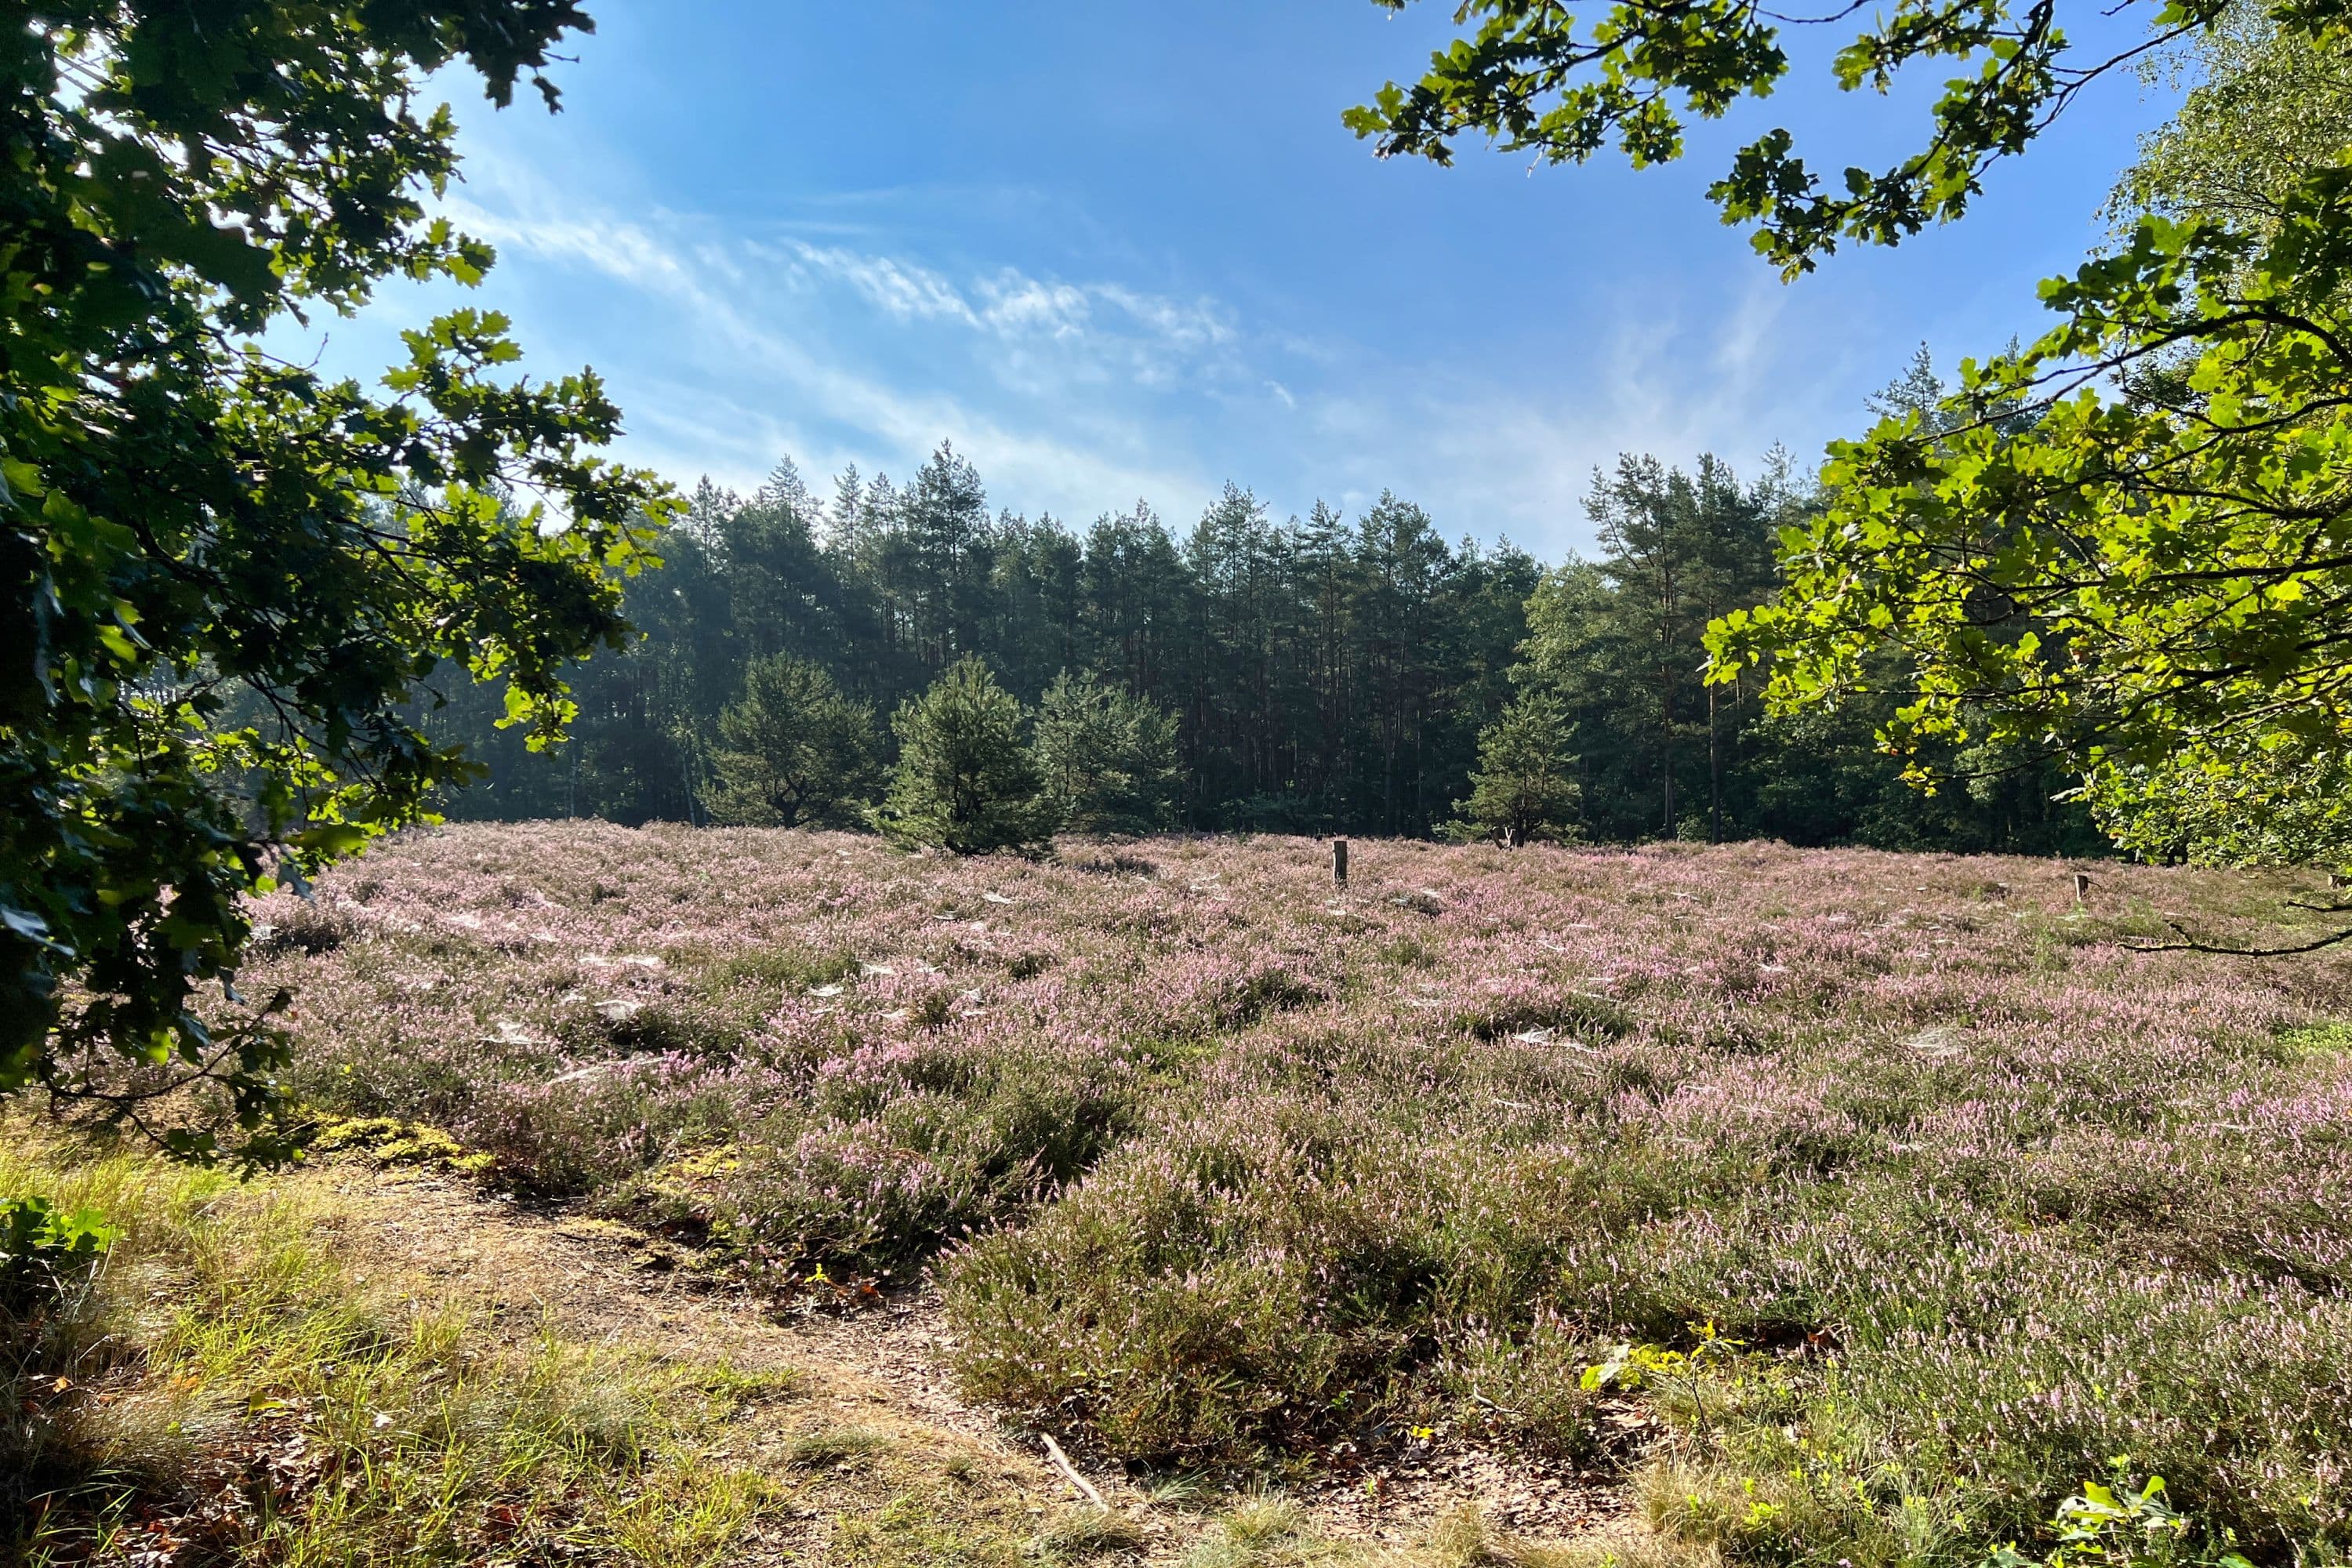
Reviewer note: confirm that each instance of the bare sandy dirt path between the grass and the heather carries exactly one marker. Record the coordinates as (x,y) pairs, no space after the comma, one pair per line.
(888,1369)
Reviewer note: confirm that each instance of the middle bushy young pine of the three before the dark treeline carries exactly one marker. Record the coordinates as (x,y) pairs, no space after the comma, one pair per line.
(965,775)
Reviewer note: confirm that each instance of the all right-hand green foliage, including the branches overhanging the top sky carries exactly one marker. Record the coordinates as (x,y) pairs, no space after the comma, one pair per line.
(2123,547)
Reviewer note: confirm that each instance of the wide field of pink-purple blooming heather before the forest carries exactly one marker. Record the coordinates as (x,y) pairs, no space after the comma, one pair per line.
(1831,1205)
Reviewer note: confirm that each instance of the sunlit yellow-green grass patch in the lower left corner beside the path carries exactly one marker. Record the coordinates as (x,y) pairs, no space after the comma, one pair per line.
(258,1379)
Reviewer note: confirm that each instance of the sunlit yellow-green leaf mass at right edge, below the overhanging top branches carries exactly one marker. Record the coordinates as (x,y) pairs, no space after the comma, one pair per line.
(2153,582)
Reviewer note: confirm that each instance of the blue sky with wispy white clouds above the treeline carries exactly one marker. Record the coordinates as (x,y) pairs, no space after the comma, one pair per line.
(1123,250)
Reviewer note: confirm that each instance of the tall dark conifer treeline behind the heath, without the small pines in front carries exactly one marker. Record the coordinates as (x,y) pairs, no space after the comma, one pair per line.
(1328,674)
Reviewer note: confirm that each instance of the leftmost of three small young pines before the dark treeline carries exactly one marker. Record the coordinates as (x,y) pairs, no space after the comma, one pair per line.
(794,751)
